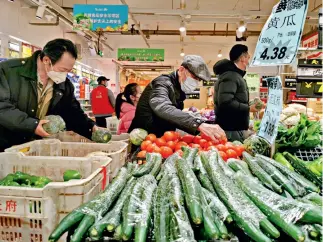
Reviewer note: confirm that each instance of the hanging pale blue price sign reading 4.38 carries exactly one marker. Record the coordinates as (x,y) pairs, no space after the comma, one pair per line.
(280,37)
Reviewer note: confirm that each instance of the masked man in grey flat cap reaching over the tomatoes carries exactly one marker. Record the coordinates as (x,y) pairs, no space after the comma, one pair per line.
(161,104)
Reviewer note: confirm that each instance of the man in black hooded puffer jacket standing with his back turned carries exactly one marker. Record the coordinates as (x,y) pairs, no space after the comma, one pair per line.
(231,94)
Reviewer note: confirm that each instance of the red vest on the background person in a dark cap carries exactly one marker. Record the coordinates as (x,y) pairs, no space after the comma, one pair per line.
(100,101)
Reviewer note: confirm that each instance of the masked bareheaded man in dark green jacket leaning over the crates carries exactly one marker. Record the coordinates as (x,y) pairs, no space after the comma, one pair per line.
(34,87)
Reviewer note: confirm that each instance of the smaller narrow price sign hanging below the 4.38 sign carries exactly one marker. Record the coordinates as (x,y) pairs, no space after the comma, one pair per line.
(270,121)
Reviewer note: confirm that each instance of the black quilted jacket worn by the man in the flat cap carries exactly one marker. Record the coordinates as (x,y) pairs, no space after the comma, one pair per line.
(160,108)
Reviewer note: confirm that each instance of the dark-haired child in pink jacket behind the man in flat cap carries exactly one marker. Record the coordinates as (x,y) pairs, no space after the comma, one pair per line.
(125,108)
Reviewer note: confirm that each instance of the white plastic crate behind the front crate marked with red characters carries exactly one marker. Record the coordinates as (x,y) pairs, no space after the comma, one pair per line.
(117,150)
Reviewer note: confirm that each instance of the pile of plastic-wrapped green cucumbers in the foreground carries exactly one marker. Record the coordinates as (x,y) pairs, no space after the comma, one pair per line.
(199,197)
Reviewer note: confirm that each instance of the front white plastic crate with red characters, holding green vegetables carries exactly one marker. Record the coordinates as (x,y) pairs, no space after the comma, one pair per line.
(31,214)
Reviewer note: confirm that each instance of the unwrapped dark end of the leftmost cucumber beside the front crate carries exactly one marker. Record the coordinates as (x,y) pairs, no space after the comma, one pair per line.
(65,225)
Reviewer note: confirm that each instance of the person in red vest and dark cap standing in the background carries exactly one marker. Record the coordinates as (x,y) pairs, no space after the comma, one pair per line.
(102,101)
